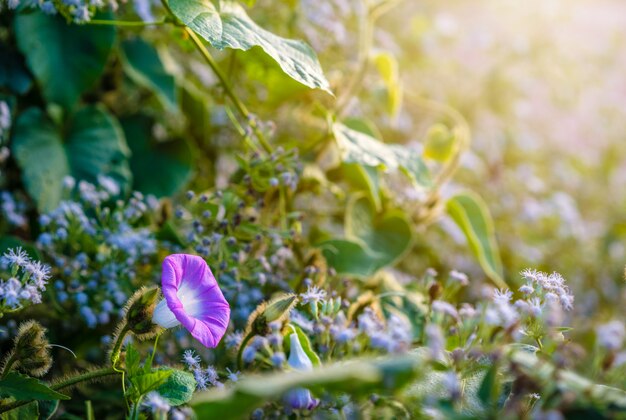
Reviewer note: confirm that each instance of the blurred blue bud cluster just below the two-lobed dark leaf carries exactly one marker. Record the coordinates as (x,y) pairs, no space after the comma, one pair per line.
(115,241)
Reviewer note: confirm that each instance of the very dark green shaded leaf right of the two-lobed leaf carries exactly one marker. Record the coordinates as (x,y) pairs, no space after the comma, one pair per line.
(161,169)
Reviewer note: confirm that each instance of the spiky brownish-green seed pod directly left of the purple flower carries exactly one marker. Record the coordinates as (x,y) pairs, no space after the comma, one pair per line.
(138,314)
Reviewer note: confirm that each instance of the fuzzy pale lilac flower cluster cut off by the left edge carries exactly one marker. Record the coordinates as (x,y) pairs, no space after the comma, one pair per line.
(24,281)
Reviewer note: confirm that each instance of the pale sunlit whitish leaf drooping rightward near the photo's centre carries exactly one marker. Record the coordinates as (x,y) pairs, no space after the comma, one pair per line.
(358,147)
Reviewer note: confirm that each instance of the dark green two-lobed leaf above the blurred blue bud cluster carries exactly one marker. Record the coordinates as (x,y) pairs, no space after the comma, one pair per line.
(93,144)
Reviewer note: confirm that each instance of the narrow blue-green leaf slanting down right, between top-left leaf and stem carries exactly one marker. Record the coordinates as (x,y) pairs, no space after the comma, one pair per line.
(144,66)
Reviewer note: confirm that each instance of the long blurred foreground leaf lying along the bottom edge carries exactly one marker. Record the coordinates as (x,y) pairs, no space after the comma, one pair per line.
(360,377)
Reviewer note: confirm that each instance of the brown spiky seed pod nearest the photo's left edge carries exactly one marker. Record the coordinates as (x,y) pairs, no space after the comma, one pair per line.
(32,349)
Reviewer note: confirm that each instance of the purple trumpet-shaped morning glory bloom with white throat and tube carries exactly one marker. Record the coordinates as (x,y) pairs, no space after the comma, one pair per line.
(193,299)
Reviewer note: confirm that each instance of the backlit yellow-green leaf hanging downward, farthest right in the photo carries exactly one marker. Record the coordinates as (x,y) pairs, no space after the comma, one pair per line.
(471,214)
